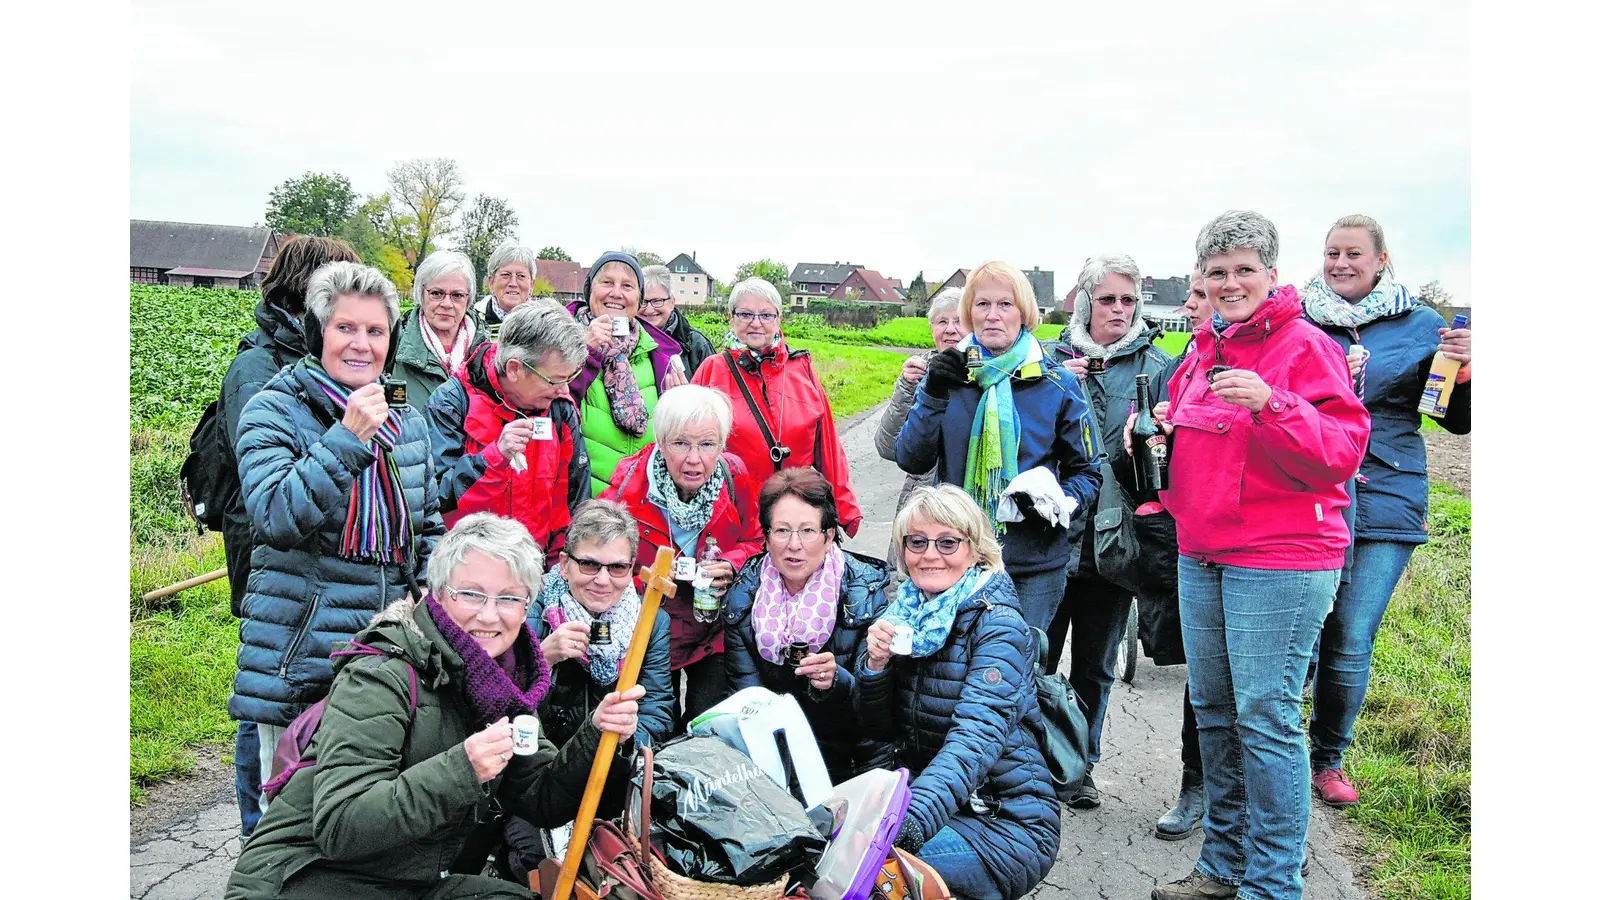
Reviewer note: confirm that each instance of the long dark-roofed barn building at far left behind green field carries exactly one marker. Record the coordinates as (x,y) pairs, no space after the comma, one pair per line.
(201,255)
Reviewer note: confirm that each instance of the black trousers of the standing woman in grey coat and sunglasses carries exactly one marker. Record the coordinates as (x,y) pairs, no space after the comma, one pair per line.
(1097,614)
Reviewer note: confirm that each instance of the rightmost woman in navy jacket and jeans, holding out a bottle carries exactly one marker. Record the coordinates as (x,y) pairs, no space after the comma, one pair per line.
(1391,342)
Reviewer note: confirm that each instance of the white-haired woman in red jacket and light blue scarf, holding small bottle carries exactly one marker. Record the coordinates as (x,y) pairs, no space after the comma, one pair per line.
(686,491)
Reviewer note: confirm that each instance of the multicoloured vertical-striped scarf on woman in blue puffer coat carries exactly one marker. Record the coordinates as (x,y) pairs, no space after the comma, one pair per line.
(378,524)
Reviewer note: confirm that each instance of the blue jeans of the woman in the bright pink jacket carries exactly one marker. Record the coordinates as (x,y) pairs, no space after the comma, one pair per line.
(1249,635)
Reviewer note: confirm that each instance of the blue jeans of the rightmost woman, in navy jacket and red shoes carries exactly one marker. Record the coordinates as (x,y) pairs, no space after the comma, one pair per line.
(1346,654)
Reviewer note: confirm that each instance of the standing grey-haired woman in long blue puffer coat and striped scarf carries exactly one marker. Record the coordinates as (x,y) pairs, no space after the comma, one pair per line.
(342,497)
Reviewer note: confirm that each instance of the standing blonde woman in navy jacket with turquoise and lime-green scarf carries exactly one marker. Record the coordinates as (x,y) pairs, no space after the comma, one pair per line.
(1017,411)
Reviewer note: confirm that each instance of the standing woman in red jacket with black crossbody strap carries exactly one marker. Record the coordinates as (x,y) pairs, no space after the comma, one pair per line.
(782,417)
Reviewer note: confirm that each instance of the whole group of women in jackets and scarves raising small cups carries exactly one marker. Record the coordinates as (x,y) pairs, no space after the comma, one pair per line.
(566,446)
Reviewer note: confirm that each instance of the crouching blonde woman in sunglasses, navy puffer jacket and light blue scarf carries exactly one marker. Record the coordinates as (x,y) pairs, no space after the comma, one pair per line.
(959,702)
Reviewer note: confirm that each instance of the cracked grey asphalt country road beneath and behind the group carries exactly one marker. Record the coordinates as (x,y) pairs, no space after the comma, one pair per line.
(1110,853)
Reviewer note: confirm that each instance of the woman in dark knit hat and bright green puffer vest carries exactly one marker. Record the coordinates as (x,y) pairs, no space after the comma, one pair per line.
(625,376)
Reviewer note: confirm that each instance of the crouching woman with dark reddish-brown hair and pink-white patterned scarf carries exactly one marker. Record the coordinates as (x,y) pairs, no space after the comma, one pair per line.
(807,590)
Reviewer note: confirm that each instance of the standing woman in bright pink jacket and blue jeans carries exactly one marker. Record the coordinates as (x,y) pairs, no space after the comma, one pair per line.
(1265,430)
